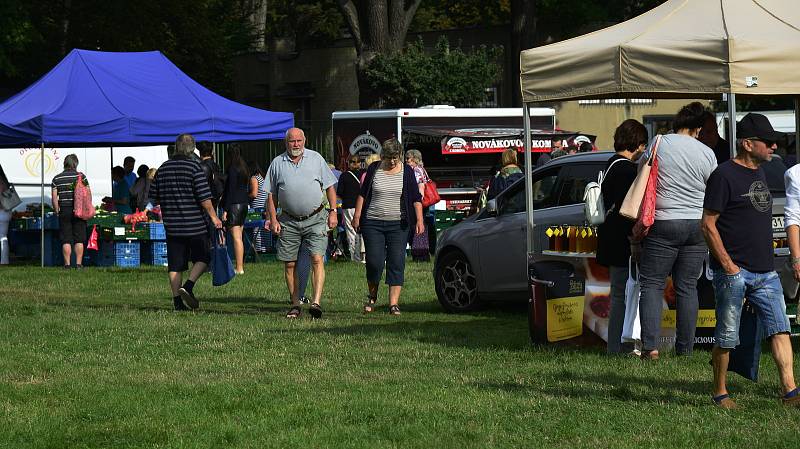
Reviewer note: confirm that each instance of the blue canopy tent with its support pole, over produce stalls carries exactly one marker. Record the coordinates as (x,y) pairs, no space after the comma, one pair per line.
(94,97)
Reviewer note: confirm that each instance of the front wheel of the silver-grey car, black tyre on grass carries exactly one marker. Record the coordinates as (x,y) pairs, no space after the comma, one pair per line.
(456,283)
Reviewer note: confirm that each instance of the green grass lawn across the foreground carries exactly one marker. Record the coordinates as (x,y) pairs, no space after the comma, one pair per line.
(97,359)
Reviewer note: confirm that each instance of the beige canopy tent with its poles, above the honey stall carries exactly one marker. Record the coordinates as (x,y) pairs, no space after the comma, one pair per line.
(680,49)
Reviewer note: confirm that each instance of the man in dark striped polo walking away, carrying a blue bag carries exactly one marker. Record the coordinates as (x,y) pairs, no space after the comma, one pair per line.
(181,189)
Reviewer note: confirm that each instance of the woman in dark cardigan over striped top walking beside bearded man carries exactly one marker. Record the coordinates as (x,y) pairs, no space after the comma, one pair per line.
(387,209)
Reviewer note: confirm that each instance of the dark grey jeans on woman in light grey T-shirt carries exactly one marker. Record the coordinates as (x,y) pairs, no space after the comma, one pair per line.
(677,247)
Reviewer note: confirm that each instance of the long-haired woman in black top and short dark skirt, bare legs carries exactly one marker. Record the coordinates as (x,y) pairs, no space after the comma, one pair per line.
(234,202)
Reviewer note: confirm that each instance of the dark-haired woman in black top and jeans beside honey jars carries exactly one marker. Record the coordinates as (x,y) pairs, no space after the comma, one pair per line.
(613,245)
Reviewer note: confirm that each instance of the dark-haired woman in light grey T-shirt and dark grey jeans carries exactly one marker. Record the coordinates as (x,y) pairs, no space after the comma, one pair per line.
(675,243)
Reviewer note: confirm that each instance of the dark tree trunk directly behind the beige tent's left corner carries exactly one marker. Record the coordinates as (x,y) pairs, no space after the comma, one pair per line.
(523,29)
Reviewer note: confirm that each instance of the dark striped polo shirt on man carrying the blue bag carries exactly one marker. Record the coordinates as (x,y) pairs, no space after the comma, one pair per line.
(179,187)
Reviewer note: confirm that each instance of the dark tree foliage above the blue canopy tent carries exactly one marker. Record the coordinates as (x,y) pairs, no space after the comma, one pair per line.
(200,36)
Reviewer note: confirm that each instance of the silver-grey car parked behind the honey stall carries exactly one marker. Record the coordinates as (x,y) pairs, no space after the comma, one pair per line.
(483,258)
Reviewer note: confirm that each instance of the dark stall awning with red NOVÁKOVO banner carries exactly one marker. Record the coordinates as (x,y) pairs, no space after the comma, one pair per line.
(493,140)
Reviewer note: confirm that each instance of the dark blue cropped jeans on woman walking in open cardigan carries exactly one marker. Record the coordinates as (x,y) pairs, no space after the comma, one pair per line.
(385,244)
